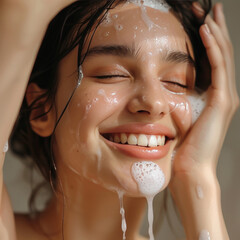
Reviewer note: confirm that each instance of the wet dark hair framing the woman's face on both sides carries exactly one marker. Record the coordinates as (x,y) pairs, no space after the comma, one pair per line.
(69,29)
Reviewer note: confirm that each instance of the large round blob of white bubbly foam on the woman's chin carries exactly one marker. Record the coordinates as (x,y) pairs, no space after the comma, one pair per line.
(149,176)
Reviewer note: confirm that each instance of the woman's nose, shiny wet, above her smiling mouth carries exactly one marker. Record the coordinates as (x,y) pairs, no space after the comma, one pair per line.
(149,99)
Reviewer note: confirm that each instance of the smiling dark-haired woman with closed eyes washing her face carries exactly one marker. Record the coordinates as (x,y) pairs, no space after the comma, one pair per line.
(108,103)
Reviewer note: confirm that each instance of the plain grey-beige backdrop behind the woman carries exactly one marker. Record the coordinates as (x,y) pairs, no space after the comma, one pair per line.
(18,177)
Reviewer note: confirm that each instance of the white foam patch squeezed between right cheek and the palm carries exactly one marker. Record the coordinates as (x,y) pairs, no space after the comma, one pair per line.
(198,103)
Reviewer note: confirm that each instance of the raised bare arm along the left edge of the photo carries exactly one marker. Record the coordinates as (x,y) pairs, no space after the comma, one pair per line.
(22,27)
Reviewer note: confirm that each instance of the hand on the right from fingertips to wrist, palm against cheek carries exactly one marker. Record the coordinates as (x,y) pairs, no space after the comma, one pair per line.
(202,145)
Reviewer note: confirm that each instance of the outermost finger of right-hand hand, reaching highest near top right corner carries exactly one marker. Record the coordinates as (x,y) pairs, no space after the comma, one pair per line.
(220,19)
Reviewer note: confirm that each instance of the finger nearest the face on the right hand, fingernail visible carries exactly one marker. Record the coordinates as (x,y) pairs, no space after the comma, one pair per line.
(215,58)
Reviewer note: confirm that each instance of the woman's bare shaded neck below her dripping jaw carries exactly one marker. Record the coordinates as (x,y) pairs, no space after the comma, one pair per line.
(91,212)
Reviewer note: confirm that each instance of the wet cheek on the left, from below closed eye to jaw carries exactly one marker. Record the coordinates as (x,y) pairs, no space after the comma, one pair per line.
(77,137)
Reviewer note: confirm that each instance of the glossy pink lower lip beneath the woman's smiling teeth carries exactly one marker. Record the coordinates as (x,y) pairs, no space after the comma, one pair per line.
(147,153)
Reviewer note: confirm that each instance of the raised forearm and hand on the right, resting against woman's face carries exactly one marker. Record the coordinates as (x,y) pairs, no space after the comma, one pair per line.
(194,184)
